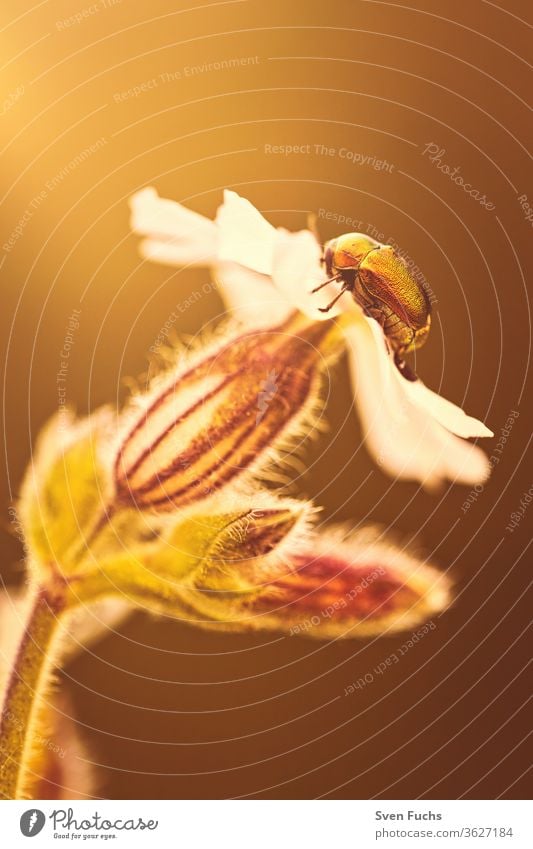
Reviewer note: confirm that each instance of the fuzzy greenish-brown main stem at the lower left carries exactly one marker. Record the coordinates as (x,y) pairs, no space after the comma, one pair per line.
(29,678)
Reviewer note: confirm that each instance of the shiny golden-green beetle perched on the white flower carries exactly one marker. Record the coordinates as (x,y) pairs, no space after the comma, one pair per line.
(380,282)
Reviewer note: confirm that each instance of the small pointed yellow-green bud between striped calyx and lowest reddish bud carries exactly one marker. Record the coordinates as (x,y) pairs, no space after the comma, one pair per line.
(216,557)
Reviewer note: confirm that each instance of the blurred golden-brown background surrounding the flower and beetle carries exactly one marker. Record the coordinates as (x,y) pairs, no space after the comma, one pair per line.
(99,100)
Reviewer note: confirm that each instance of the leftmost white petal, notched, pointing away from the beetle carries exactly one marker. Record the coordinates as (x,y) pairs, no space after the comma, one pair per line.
(176,235)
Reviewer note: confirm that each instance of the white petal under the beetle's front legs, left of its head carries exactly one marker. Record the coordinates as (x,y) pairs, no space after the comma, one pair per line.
(297,271)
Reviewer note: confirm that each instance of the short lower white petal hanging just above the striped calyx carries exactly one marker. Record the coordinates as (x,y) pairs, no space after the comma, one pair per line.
(250,296)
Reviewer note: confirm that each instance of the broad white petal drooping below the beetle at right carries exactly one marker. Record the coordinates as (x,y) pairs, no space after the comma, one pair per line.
(406,441)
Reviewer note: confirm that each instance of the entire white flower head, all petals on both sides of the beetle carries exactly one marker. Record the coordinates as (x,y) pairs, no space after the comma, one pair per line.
(264,273)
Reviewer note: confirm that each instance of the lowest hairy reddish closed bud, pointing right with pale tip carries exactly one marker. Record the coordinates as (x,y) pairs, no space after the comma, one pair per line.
(329,586)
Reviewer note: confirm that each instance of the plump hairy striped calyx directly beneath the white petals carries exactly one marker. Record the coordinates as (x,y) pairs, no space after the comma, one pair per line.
(221,415)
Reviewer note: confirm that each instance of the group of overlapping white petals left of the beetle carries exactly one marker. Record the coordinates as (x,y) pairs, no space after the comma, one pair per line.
(246,253)
